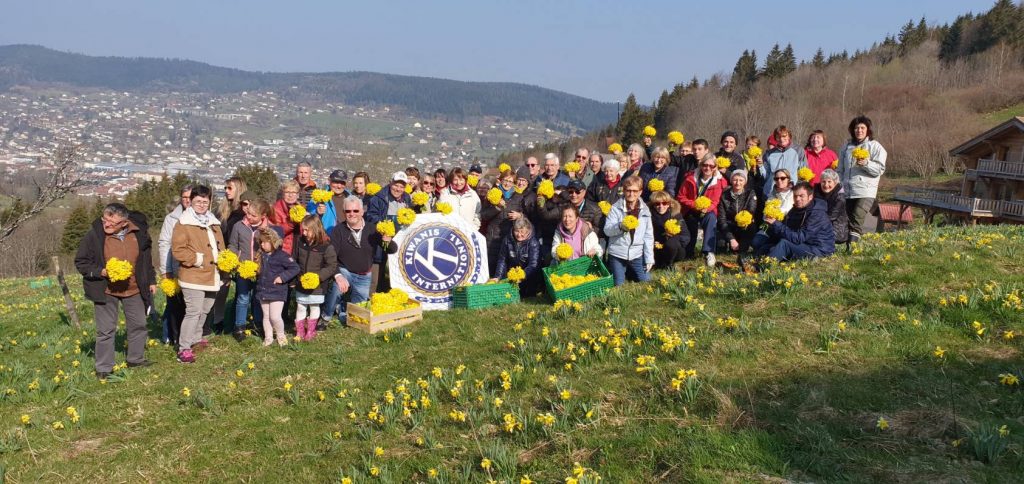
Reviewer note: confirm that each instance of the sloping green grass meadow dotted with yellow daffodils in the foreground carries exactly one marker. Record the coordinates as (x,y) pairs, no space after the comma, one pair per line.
(785,394)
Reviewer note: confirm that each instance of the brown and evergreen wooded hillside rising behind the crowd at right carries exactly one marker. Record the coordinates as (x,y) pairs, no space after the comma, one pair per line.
(927,90)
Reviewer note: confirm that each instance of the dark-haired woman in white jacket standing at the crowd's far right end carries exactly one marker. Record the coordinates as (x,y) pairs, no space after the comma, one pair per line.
(861,175)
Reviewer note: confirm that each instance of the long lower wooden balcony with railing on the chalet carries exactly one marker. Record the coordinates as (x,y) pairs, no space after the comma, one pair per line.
(951,202)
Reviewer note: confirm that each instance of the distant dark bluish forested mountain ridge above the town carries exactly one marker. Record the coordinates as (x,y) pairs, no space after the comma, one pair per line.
(24,64)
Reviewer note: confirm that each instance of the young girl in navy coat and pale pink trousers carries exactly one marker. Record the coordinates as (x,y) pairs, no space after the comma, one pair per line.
(277,269)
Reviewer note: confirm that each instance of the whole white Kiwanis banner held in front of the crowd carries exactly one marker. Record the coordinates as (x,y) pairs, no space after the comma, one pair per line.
(437,253)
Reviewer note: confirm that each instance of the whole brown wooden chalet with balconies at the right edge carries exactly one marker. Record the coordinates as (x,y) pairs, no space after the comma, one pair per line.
(993,191)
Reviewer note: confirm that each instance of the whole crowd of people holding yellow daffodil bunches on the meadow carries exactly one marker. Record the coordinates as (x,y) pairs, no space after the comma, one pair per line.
(641,209)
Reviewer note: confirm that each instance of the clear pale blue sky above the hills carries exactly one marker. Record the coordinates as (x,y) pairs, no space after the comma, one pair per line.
(600,50)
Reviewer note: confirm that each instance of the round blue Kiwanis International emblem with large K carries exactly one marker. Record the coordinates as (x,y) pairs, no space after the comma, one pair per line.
(437,258)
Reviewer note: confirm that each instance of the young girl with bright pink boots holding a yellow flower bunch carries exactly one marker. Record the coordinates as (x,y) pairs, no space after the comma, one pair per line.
(316,255)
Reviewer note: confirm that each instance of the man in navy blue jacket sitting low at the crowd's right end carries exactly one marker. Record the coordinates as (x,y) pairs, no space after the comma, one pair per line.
(805,234)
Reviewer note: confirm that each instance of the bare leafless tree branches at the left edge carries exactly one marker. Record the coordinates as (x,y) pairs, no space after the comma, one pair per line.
(62,182)
